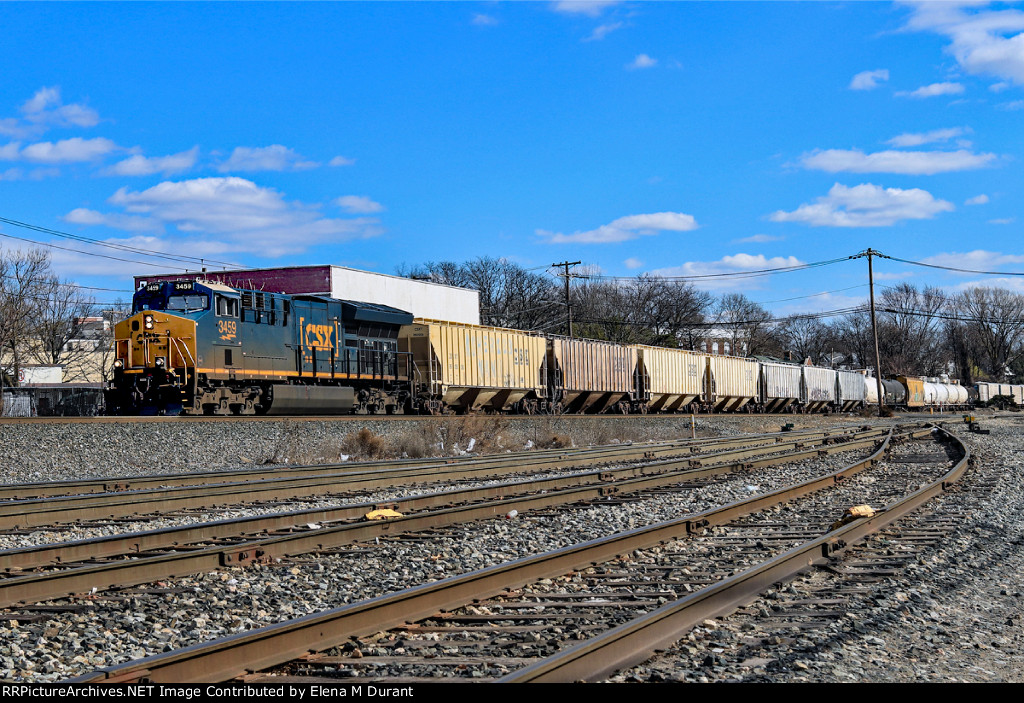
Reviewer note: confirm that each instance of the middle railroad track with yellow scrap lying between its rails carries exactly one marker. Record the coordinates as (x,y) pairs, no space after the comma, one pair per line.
(62,569)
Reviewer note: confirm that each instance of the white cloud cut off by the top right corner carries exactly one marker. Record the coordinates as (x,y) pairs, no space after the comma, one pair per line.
(984,41)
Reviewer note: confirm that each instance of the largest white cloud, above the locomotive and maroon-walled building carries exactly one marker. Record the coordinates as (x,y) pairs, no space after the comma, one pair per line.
(252,218)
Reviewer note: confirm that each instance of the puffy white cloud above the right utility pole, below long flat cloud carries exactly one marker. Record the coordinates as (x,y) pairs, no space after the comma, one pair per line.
(866,206)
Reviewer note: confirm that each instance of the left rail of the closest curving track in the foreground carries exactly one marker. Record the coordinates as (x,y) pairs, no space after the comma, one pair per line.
(241,654)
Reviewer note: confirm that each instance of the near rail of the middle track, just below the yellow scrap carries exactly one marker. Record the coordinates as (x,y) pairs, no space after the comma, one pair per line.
(497,501)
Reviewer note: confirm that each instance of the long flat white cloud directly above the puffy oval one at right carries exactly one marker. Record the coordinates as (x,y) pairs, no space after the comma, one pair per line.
(913,163)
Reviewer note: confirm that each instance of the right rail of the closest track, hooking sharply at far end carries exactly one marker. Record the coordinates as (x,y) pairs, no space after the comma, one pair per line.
(636,641)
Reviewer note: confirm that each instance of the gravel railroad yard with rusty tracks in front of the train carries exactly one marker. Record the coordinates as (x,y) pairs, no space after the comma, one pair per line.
(456,582)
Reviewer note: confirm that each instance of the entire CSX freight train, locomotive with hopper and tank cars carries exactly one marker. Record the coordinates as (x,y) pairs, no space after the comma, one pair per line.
(205,348)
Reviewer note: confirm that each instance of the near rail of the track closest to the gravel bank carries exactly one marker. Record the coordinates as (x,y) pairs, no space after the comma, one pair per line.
(41,512)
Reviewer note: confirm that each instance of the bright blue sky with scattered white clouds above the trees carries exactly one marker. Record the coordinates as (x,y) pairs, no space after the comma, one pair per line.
(679,139)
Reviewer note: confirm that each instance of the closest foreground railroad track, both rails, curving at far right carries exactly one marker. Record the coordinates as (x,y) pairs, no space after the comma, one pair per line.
(666,574)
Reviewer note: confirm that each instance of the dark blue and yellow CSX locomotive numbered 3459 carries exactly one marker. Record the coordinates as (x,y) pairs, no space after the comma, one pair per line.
(201,347)
